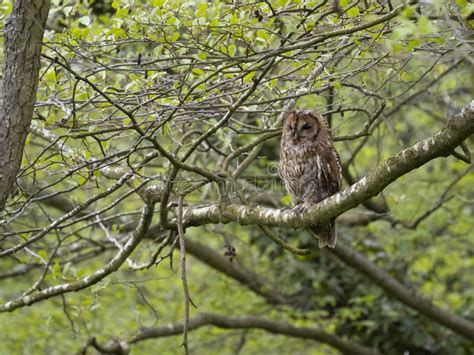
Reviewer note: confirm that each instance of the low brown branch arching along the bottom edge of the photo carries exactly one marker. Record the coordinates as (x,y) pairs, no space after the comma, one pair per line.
(271,326)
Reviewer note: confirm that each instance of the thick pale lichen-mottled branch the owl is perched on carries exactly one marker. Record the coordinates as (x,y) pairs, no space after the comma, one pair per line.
(441,144)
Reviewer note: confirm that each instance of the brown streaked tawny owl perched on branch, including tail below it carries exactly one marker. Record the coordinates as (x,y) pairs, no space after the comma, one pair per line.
(310,167)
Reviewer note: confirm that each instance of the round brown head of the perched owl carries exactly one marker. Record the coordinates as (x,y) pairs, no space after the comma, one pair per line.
(302,126)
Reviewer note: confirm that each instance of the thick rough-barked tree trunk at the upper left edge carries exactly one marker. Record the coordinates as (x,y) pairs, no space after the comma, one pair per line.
(23,39)
